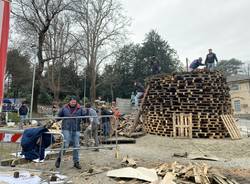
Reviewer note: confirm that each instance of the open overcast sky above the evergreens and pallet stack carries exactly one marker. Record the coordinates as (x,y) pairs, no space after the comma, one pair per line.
(193,26)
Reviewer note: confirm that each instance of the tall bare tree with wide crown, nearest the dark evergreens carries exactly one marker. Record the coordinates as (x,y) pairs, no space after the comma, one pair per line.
(102,27)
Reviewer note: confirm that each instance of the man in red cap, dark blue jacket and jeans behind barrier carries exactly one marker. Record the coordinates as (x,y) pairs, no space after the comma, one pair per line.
(71,129)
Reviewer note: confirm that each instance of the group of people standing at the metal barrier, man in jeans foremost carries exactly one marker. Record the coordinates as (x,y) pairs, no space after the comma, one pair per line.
(73,115)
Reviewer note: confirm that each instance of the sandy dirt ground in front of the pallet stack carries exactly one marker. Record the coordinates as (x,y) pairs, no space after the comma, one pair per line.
(150,151)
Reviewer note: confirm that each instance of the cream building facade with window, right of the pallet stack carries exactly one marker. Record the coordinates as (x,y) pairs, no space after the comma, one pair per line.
(240,94)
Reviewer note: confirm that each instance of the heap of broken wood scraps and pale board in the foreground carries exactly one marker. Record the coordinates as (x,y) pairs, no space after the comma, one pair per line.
(173,173)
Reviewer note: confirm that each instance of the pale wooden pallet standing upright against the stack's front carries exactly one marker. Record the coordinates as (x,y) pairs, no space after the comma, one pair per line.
(182,125)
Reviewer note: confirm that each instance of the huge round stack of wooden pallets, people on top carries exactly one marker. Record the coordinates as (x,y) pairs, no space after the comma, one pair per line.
(203,94)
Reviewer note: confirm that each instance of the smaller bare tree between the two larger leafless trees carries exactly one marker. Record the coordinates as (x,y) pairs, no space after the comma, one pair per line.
(60,45)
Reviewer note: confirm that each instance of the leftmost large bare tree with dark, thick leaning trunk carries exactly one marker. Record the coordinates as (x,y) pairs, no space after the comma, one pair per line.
(33,19)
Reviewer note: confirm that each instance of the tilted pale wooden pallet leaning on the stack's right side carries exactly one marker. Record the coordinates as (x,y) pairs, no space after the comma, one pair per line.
(231,126)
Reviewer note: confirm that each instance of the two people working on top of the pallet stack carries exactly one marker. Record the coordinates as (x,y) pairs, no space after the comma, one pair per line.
(211,58)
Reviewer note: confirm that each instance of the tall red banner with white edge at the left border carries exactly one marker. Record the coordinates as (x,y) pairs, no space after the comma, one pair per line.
(4,35)
